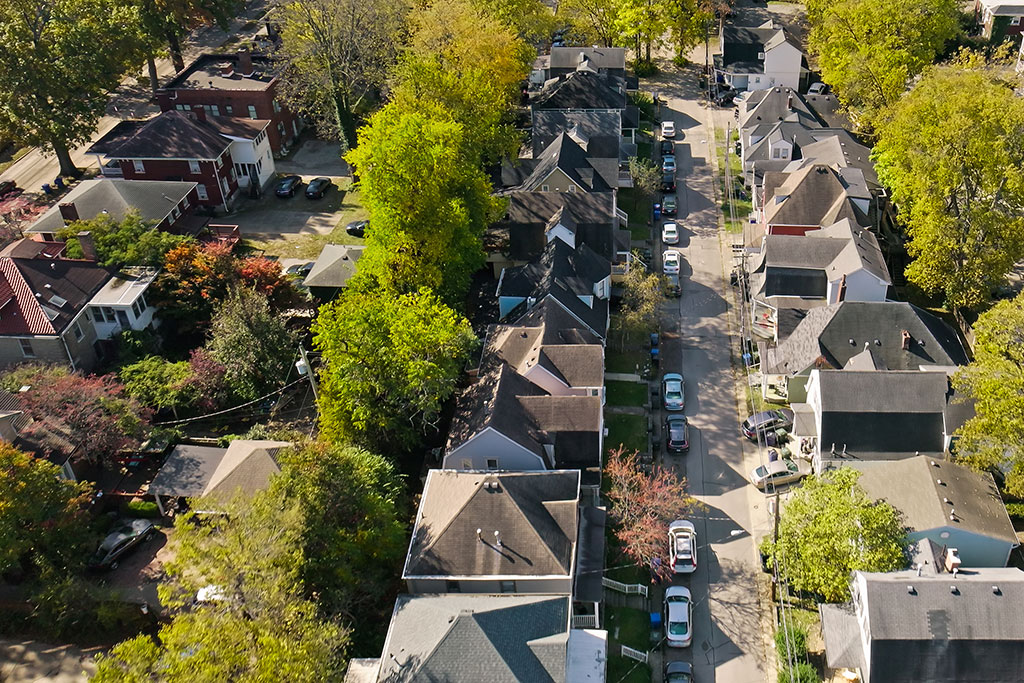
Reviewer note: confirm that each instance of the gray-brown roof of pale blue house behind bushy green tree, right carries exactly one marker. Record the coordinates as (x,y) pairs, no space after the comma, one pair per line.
(912,487)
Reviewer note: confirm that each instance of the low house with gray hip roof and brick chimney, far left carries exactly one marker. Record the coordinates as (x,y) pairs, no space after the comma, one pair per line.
(165,204)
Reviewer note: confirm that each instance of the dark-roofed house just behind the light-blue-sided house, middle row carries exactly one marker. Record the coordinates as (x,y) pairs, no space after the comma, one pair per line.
(534,220)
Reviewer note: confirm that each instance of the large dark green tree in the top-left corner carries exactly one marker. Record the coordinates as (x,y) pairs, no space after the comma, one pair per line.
(60,61)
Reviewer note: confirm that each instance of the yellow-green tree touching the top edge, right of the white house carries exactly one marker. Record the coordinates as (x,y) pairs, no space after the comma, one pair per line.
(869,51)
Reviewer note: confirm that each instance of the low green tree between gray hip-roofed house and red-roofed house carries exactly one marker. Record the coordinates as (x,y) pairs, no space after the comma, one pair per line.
(130,242)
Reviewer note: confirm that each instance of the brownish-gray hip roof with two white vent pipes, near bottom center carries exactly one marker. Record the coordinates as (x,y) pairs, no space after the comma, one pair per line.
(534,513)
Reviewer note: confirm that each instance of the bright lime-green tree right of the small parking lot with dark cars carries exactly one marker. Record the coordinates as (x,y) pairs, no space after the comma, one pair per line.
(430,203)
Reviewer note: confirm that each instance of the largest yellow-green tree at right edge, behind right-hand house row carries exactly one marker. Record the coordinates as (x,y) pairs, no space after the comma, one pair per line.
(953,155)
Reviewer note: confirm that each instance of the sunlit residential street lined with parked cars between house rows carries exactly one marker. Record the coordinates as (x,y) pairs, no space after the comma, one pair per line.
(730,633)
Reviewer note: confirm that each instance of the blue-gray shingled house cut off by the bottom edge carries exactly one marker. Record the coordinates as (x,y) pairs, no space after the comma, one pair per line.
(485,639)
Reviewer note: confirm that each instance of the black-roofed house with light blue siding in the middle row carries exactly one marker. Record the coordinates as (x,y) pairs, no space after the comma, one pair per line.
(579,279)
